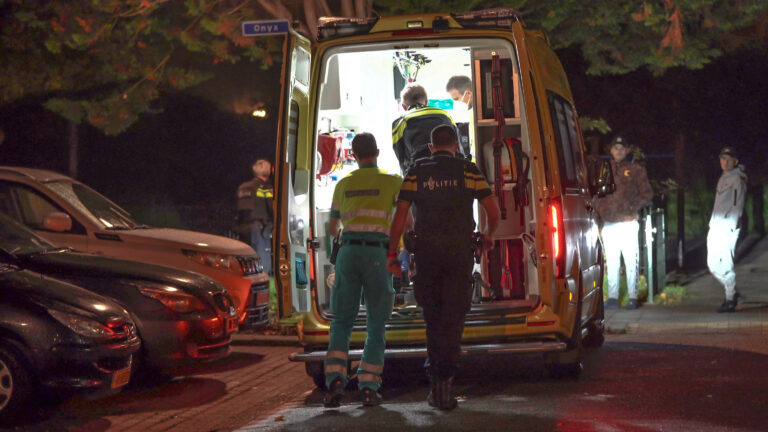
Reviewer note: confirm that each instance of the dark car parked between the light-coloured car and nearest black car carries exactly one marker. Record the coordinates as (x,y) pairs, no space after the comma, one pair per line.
(181,317)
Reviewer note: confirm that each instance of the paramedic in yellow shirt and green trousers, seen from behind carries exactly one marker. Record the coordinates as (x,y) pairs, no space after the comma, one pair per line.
(363,201)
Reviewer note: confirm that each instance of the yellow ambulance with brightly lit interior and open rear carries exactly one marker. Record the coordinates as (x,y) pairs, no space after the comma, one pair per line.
(540,289)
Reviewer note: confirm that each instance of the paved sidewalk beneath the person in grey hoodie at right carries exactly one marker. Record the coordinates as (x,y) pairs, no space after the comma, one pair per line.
(696,313)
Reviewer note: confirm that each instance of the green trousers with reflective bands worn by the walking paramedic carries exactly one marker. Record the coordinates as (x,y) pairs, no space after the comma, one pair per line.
(361,268)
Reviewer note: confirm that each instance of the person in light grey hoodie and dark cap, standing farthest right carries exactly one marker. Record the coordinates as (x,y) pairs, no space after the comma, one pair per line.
(724,226)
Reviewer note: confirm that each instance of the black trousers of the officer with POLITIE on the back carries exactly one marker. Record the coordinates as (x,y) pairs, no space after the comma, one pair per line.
(443,289)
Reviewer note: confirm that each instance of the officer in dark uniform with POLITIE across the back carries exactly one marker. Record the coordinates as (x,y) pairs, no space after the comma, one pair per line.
(442,190)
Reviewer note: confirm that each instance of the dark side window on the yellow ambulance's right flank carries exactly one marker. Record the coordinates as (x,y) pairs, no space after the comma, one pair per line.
(570,158)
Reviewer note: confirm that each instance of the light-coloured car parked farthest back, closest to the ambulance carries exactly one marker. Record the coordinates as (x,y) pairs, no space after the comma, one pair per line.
(69,213)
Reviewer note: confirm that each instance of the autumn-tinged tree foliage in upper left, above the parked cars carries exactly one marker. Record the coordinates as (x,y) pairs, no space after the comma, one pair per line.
(104,62)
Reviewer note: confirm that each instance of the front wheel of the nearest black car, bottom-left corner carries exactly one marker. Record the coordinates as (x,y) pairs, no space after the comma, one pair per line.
(15,385)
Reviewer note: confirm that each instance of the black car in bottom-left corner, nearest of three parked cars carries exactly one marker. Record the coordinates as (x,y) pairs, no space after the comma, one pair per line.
(55,336)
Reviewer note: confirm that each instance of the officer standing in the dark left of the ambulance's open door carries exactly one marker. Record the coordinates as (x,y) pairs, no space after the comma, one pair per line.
(254,211)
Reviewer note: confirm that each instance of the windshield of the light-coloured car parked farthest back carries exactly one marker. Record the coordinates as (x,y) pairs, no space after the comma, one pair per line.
(94,205)
